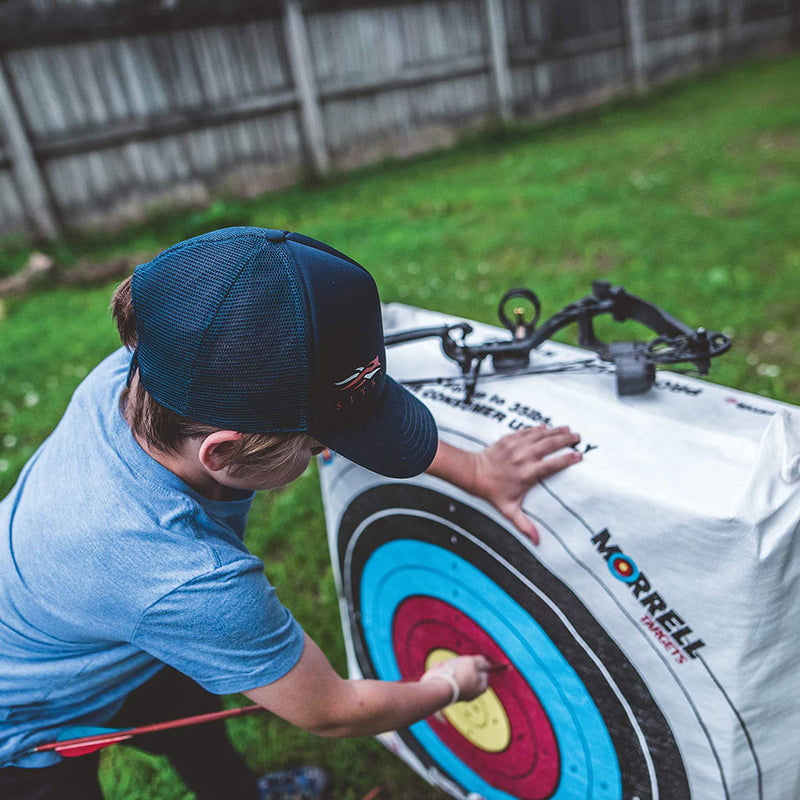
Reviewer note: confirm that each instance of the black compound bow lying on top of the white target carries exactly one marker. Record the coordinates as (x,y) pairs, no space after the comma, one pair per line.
(635,361)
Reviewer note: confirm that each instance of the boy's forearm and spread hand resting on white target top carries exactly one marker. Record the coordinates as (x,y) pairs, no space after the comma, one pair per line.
(503,472)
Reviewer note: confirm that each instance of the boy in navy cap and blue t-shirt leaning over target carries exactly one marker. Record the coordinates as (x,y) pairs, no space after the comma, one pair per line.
(121,544)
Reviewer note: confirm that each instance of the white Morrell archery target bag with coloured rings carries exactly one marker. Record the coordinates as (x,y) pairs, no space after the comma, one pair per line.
(652,636)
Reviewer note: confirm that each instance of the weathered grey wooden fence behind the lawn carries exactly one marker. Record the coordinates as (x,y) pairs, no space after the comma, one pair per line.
(110,106)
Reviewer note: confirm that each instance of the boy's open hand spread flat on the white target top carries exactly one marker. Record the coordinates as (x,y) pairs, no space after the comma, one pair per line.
(506,470)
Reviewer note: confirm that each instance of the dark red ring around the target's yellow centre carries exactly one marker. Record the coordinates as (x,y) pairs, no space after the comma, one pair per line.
(529,767)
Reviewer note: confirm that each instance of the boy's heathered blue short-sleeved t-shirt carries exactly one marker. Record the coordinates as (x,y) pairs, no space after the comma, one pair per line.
(110,567)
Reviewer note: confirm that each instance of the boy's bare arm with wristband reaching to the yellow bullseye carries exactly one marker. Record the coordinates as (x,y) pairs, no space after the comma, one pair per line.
(314,697)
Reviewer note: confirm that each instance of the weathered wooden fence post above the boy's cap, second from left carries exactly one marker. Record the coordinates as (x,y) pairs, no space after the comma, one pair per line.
(305,84)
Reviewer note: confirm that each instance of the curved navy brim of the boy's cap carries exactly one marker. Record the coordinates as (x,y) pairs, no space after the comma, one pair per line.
(398,438)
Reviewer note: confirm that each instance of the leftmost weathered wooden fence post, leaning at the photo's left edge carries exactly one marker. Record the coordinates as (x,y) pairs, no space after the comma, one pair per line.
(31,185)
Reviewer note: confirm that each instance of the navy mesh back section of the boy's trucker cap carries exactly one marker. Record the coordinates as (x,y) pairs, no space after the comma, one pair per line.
(237,337)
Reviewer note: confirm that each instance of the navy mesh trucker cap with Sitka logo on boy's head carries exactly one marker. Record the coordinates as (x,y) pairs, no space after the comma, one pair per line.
(267,331)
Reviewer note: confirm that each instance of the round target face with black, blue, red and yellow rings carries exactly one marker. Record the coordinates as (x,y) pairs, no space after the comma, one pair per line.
(426,577)
